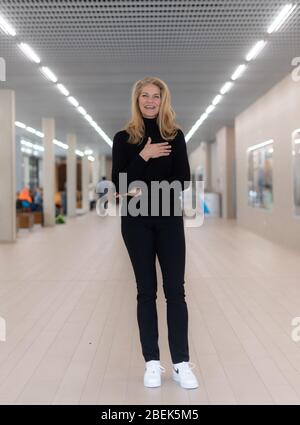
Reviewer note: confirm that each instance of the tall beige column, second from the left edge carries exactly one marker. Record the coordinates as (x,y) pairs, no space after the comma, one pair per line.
(48,125)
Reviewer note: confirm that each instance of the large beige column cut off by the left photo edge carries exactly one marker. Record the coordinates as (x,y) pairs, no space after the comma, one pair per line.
(7,167)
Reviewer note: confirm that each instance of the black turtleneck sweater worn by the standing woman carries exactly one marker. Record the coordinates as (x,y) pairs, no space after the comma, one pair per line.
(173,167)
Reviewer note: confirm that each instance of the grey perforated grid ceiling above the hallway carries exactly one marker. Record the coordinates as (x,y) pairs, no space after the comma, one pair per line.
(99,48)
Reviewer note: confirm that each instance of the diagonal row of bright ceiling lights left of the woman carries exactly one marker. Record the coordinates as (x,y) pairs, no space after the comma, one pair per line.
(46,72)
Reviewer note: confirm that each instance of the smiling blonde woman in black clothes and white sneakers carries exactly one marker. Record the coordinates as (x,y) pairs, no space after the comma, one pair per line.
(152,148)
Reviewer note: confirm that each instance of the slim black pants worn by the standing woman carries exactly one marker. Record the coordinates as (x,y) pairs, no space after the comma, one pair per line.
(144,239)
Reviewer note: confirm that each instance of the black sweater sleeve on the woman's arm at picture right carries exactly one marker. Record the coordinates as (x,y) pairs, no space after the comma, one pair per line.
(180,165)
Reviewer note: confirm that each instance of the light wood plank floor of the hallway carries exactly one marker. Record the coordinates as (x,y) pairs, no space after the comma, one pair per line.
(69,300)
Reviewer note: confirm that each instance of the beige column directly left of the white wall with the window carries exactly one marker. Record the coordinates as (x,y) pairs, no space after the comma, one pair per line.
(226,162)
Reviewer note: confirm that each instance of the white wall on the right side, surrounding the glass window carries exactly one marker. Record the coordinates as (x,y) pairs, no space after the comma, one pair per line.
(274,116)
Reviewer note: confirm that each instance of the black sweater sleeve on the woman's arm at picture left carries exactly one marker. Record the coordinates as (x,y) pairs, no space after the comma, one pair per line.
(135,168)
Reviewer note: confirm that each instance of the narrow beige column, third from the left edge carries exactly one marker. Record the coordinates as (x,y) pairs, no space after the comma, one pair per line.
(71,176)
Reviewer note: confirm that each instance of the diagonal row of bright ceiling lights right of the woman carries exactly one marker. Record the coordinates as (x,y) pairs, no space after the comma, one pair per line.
(283,15)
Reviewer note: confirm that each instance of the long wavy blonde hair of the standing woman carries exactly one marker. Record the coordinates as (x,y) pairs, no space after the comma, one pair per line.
(166,116)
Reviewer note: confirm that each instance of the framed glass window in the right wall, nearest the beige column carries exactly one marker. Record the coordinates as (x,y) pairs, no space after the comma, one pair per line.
(260,175)
